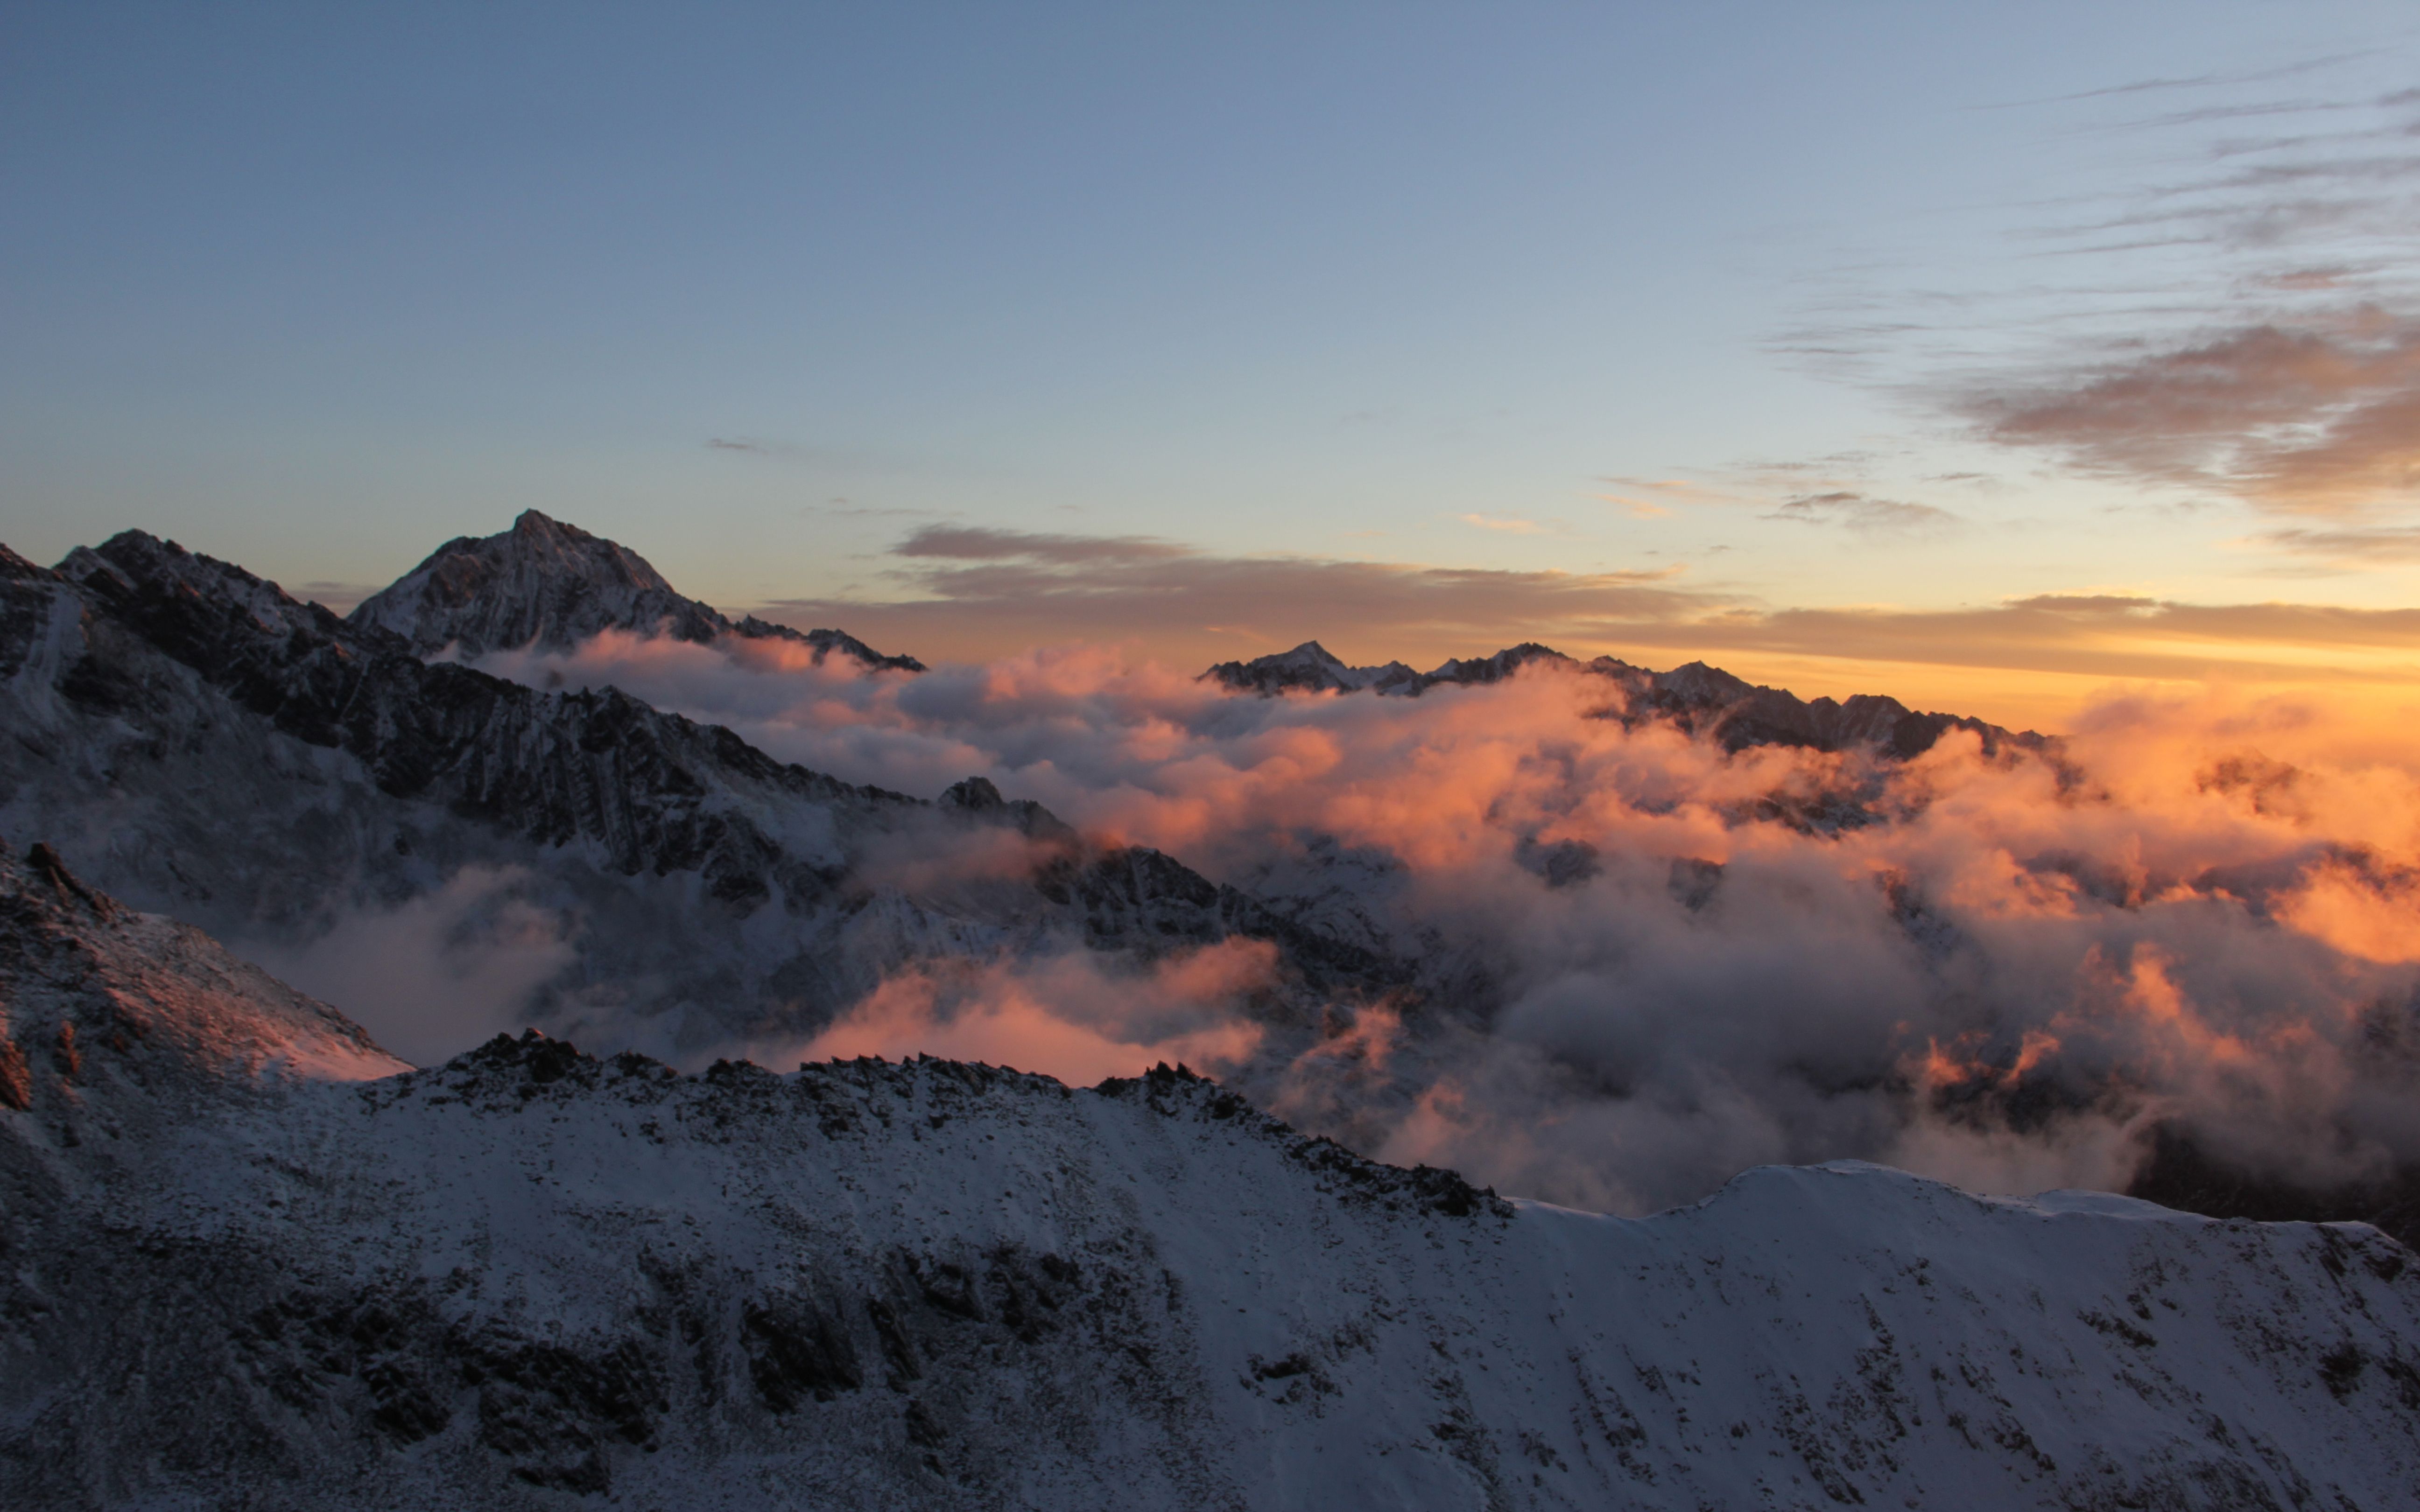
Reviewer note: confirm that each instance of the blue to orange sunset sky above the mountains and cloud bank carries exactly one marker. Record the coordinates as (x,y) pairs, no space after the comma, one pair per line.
(1990,357)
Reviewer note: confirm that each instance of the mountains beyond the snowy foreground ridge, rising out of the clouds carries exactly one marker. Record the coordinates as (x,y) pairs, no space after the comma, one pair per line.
(207,746)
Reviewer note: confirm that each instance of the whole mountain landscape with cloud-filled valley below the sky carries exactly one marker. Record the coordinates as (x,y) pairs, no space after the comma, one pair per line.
(522,1220)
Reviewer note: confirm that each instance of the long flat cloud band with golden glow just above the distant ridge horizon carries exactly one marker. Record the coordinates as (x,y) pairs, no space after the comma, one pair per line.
(1006,591)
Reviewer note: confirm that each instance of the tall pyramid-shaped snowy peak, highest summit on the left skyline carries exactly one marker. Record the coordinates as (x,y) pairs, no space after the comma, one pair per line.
(553,587)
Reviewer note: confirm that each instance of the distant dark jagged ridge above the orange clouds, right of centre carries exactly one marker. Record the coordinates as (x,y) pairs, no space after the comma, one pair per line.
(1698,698)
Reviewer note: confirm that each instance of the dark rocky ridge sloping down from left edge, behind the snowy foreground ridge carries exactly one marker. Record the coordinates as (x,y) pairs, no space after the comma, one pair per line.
(209,746)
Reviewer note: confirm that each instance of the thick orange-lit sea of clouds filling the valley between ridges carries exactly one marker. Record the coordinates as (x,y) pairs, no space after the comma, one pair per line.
(1649,962)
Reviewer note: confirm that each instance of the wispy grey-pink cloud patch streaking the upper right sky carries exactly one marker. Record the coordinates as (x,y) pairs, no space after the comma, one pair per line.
(2240,321)
